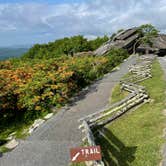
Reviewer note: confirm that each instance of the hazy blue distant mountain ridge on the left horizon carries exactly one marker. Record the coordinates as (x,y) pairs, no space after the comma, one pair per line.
(10,52)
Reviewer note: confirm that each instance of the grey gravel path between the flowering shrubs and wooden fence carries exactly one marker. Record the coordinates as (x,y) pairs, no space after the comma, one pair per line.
(49,145)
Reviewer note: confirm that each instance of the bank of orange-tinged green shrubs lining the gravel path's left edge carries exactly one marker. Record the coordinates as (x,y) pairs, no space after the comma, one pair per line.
(28,88)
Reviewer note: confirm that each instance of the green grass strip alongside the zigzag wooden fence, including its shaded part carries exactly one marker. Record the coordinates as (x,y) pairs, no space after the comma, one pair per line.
(136,138)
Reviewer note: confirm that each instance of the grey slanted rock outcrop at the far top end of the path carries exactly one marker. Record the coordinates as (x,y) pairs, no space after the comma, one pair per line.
(127,39)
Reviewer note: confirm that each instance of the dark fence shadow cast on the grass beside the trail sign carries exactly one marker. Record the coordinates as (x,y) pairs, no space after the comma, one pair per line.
(115,153)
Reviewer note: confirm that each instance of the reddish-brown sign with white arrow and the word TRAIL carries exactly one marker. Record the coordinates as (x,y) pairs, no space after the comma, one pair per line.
(85,154)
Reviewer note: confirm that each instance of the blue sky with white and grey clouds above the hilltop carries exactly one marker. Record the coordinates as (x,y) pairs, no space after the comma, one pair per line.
(40,21)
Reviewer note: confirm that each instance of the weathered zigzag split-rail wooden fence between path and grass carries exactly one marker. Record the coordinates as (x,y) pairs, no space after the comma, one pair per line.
(138,72)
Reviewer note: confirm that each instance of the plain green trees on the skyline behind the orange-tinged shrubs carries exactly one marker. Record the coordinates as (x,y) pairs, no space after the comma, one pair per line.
(66,46)
